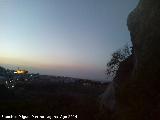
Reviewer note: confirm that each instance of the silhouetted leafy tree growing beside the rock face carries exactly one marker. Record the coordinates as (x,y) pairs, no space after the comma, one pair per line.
(116,58)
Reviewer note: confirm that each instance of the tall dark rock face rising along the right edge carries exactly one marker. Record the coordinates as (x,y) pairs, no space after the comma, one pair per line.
(138,95)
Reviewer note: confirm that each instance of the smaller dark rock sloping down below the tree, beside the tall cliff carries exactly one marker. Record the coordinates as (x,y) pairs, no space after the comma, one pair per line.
(108,98)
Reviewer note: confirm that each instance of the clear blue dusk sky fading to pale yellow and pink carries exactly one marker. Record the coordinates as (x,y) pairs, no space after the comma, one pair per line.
(63,37)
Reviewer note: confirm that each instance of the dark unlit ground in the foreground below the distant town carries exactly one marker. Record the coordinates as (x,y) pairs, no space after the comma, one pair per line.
(49,98)
